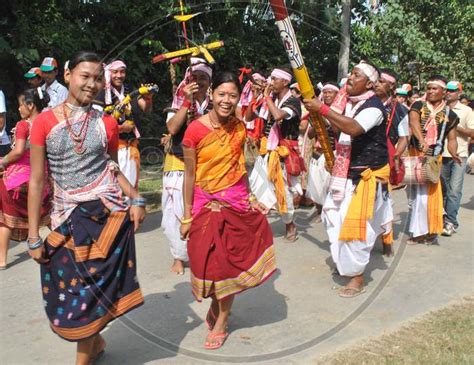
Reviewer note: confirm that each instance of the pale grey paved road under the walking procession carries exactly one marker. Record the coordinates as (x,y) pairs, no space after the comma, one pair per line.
(295,318)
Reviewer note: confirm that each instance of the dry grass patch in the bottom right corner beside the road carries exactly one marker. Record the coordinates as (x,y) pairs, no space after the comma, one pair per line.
(442,337)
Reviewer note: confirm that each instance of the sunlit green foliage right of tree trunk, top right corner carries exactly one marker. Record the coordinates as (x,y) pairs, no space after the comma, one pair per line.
(418,38)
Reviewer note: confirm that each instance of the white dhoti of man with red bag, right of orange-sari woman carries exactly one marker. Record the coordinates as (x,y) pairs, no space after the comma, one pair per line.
(264,189)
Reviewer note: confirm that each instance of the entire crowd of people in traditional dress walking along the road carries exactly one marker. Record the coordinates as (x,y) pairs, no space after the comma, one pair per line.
(236,150)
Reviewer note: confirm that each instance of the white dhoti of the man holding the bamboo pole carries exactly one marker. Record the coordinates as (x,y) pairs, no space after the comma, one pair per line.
(351,257)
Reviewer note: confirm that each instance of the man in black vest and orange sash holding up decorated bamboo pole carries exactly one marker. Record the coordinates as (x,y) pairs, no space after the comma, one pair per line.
(356,210)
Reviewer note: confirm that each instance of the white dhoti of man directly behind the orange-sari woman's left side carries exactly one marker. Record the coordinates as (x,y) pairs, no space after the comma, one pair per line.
(173,209)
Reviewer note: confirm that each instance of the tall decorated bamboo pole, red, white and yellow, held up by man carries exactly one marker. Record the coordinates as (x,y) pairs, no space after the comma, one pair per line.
(288,36)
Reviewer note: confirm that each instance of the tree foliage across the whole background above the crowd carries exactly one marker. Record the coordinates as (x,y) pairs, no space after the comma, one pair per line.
(411,36)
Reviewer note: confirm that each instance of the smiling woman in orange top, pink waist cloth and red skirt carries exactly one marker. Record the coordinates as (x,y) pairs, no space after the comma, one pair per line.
(230,243)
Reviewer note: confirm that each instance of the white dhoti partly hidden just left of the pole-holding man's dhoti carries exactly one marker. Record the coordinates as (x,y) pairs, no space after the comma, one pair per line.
(318,180)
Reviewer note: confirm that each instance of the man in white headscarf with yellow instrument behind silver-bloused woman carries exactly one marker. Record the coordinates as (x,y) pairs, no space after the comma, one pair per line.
(114,92)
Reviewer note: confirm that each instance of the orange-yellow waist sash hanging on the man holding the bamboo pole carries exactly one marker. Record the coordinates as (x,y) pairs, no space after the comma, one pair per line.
(361,207)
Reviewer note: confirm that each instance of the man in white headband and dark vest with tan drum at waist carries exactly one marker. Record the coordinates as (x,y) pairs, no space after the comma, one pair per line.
(432,122)
